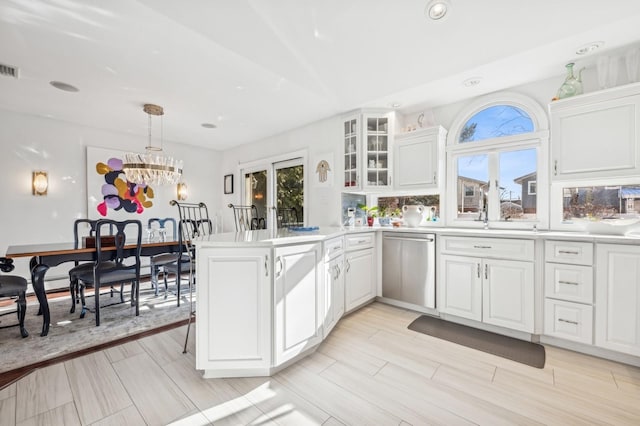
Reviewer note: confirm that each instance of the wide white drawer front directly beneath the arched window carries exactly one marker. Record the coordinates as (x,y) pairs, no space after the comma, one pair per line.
(503,248)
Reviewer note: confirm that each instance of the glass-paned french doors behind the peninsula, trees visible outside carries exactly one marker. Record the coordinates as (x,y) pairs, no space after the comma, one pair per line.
(277,190)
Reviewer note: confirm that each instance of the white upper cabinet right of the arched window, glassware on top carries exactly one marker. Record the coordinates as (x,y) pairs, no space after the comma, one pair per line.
(596,135)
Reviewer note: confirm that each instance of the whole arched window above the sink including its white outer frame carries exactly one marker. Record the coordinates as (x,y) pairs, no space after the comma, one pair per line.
(494,157)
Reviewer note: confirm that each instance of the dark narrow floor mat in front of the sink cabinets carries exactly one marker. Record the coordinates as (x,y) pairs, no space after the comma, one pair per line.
(521,351)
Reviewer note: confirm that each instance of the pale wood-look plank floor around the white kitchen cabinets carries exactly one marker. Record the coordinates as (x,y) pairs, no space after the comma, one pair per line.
(371,370)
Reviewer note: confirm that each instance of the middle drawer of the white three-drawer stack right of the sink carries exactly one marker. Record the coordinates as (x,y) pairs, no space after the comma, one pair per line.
(568,282)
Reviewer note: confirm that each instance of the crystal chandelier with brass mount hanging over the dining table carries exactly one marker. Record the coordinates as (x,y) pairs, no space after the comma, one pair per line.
(152,167)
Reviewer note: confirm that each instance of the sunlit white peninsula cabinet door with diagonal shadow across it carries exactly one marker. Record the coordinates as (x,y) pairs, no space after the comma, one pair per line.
(298,300)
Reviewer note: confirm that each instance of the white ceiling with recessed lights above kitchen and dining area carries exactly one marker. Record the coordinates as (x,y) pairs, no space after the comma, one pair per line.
(256,68)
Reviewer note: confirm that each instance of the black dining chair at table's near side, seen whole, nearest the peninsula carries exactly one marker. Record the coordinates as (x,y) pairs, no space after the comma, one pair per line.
(117,263)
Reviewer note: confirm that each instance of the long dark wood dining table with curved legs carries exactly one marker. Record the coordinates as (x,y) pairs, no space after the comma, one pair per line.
(44,256)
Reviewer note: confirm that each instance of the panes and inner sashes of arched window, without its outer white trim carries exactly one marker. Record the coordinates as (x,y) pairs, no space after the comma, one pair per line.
(505,174)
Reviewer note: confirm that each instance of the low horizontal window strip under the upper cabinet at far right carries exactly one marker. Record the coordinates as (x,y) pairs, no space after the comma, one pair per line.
(601,202)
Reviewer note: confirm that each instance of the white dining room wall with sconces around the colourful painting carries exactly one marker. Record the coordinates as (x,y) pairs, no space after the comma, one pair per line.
(31,143)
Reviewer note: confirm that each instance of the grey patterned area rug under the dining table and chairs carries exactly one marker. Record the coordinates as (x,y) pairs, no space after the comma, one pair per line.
(69,333)
